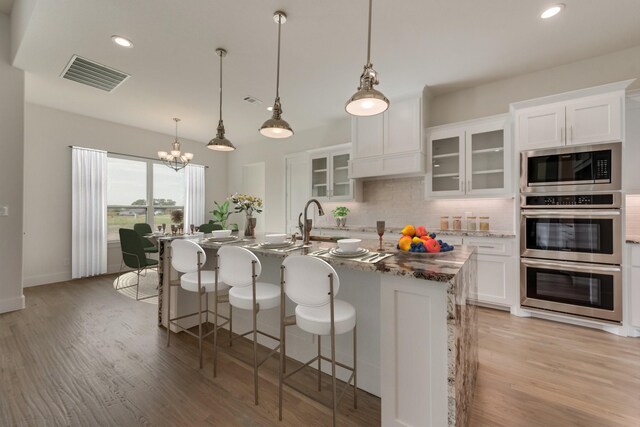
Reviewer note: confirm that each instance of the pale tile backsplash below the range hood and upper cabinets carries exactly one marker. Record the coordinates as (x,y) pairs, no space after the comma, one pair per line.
(400,201)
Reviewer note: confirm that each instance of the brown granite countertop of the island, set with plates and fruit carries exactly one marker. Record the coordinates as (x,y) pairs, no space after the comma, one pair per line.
(441,267)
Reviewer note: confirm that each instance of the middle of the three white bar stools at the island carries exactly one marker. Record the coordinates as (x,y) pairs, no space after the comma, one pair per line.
(239,268)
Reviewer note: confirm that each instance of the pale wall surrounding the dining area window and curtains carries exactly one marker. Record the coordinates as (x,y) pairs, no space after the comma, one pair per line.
(47,181)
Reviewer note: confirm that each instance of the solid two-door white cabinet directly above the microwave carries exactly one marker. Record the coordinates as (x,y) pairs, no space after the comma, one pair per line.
(585,120)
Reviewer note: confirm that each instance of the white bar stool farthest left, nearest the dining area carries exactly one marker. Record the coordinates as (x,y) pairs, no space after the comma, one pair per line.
(188,257)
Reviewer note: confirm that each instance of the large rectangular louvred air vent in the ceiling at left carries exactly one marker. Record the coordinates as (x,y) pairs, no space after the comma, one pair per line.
(91,73)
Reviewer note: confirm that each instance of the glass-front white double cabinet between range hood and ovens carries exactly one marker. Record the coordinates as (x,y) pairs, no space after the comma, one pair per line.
(469,159)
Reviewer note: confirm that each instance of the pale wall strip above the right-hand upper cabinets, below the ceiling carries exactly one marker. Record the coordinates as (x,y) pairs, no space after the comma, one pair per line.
(494,98)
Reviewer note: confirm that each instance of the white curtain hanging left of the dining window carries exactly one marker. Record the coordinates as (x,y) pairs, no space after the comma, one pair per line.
(89,212)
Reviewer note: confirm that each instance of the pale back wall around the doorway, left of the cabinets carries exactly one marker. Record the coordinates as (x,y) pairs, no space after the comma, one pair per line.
(272,152)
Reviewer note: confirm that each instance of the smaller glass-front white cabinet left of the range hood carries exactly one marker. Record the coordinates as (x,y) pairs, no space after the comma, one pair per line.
(330,175)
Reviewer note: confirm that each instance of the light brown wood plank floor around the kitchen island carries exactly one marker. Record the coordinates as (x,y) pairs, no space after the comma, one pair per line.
(81,354)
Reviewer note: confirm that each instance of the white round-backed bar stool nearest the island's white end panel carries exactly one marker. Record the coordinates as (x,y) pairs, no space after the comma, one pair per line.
(312,284)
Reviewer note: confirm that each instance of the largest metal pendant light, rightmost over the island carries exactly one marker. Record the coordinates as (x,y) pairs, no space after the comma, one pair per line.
(367,101)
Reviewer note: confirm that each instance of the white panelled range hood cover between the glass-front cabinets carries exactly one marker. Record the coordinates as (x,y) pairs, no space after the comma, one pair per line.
(389,143)
